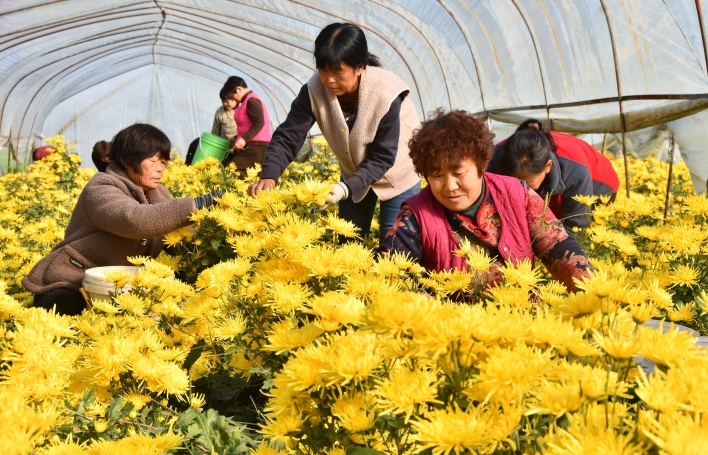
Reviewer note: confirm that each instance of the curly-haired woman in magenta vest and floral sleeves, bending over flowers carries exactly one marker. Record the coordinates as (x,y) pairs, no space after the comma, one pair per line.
(500,214)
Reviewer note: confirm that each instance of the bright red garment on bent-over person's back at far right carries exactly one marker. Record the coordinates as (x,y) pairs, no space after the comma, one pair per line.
(578,150)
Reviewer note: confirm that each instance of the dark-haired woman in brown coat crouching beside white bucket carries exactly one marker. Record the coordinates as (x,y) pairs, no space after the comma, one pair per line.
(122,212)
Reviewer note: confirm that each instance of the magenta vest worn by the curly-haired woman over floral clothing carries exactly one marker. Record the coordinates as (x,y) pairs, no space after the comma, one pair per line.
(438,240)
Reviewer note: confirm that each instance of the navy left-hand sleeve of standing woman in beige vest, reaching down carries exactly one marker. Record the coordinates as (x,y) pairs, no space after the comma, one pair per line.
(289,136)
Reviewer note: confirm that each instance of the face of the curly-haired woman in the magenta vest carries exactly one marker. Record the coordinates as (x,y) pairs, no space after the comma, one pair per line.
(456,189)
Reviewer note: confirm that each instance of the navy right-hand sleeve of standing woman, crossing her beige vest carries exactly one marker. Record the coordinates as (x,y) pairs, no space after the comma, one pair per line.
(381,152)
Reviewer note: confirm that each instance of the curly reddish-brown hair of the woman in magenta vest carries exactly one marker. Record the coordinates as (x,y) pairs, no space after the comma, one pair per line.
(443,141)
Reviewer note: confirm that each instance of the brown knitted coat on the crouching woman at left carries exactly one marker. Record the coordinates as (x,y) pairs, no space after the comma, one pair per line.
(113,219)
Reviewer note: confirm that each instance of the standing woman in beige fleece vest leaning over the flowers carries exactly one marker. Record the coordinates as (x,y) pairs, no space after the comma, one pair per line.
(366,116)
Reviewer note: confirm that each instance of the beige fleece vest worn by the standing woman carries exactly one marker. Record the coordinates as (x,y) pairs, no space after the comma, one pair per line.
(378,88)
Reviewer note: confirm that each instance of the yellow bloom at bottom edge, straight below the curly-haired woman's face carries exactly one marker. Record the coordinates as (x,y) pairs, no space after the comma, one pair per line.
(443,431)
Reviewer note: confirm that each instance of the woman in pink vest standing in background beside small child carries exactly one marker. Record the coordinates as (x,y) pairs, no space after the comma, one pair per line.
(252,124)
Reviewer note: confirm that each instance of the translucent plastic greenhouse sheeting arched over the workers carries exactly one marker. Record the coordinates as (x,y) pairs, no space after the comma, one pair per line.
(86,69)
